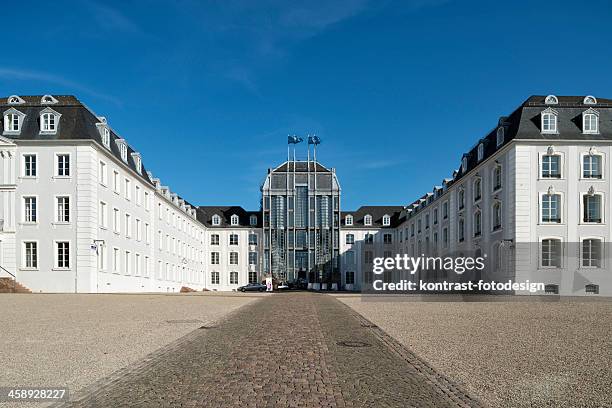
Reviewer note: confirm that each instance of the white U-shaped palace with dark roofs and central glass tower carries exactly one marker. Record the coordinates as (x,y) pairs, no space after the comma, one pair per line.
(79,212)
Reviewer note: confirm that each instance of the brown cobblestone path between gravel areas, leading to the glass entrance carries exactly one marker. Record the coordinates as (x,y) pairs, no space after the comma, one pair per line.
(288,349)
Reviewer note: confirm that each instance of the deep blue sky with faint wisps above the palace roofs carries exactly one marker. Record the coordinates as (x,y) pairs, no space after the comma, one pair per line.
(397,90)
